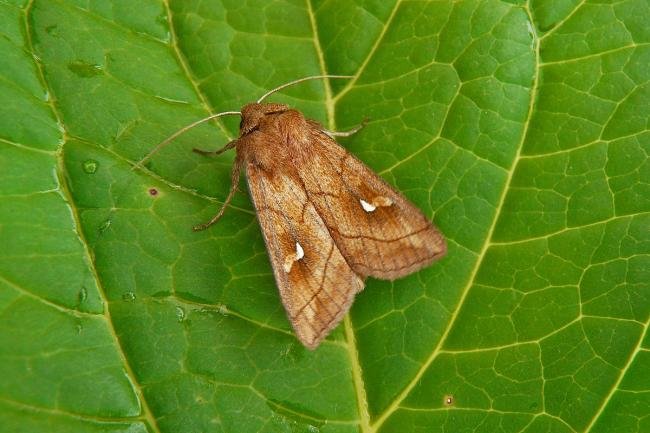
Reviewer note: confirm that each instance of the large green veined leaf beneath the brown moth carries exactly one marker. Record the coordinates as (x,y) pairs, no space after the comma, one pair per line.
(521,128)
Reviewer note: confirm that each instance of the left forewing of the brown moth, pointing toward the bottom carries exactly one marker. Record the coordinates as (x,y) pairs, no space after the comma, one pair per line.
(316,284)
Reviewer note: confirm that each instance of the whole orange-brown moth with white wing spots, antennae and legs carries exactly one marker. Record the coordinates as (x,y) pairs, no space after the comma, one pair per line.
(328,220)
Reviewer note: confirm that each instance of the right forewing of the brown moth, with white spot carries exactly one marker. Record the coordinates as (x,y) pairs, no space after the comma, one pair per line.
(379,232)
